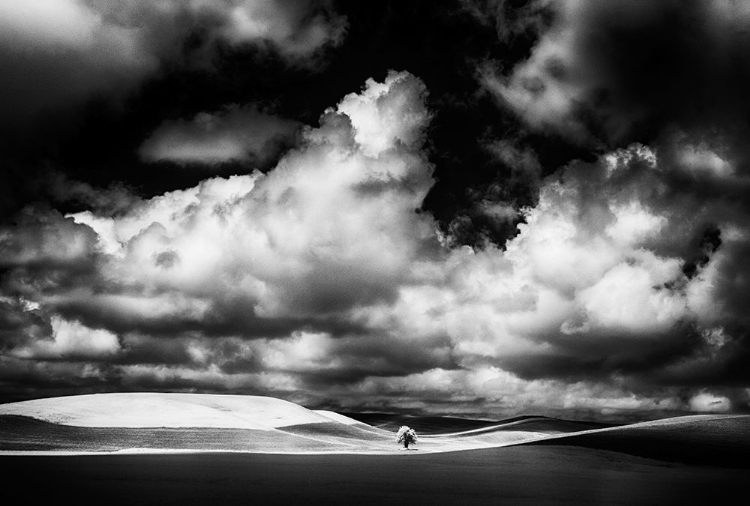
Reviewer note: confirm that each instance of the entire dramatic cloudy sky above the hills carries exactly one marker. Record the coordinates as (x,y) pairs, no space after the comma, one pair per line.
(479,208)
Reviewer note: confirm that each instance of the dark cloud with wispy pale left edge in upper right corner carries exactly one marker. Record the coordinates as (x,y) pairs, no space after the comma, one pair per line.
(612,71)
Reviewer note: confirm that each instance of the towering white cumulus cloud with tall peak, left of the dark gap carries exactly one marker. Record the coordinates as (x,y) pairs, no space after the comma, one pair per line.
(332,227)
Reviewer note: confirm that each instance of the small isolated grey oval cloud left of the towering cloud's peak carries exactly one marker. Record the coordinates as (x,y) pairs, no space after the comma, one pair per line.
(236,134)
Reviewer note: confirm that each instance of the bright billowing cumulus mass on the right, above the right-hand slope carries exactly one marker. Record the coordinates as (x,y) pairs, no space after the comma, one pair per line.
(603,257)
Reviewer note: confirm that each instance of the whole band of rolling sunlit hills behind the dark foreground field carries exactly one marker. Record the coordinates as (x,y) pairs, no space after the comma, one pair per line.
(166,422)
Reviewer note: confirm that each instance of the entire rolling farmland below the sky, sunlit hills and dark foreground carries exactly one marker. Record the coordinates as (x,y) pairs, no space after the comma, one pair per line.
(339,460)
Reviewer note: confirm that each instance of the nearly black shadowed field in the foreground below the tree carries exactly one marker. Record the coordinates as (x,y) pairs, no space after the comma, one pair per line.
(533,475)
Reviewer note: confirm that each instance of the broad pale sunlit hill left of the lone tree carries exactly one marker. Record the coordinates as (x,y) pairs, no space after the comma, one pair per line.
(168,422)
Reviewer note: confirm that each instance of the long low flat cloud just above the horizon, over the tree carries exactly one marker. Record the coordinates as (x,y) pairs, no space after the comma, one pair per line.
(489,391)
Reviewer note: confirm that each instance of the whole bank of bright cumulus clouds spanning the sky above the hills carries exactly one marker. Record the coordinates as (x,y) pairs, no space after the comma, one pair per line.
(320,280)
